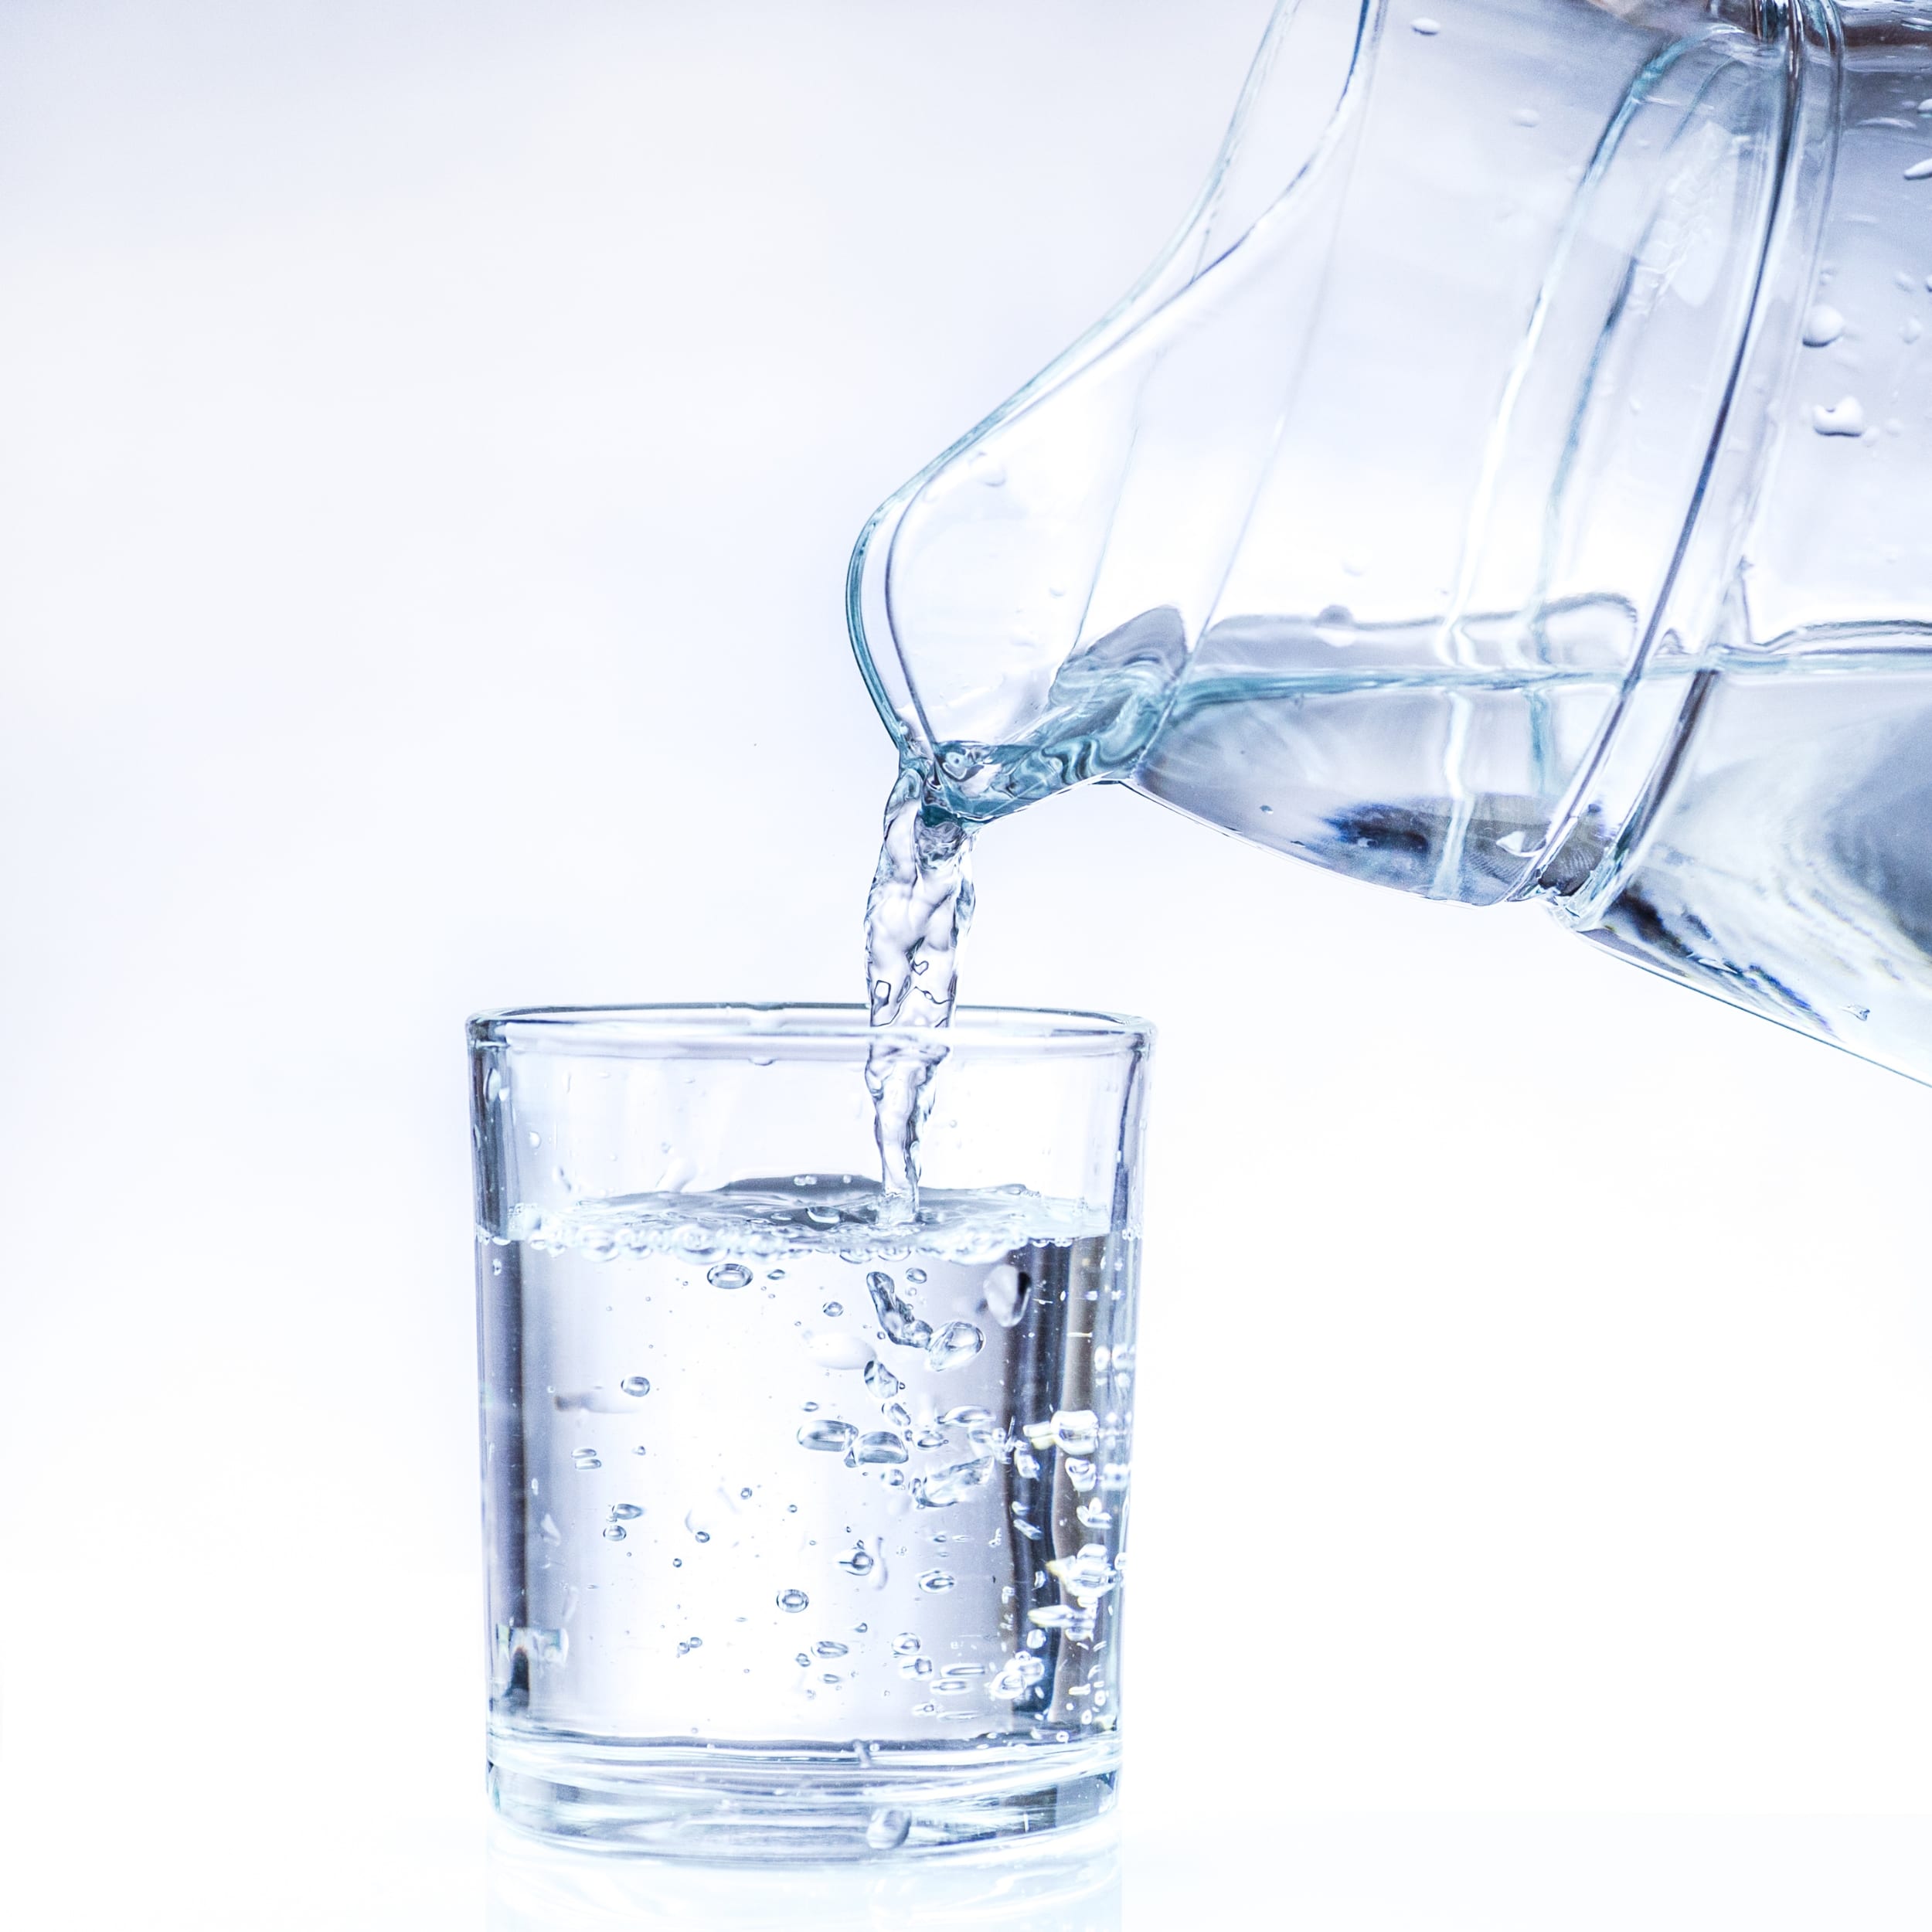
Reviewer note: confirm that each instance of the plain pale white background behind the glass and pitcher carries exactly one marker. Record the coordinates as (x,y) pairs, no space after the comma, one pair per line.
(430,445)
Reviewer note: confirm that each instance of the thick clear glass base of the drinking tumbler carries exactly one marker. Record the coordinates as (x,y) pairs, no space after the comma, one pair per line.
(795,1802)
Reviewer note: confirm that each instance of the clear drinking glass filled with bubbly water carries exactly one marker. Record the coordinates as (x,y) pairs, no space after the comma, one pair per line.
(805,1516)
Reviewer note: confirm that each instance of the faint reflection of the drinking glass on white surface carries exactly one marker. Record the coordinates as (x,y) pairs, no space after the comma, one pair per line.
(1064,1885)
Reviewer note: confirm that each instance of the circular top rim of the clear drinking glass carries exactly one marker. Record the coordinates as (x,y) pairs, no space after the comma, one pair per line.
(673,1025)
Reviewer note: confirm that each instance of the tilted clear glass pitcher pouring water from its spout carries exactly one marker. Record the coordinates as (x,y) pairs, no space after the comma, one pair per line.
(1514,482)
